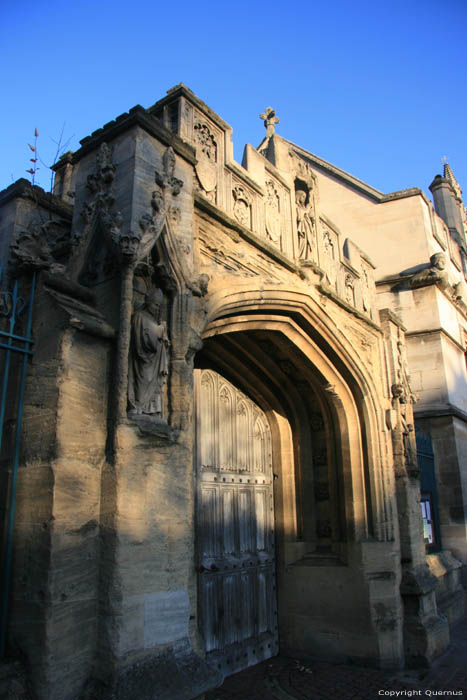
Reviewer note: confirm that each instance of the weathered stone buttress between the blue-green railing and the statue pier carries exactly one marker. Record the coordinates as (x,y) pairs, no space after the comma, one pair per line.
(55,593)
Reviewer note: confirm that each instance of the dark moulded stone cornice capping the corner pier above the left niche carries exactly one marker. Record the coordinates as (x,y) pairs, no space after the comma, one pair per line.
(137,116)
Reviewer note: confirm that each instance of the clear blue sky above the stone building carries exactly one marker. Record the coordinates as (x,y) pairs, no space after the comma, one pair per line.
(376,88)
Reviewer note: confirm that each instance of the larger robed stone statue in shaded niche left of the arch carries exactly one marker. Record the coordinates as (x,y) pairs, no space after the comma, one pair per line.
(148,366)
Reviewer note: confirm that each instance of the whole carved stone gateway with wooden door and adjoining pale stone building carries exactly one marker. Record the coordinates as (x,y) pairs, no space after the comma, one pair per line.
(230,426)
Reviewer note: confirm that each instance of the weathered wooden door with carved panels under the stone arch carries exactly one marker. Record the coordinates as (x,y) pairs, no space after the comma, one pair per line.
(235,525)
